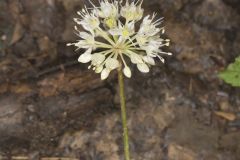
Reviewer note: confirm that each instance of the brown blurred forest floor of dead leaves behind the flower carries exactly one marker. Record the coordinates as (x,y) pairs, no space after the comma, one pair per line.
(51,106)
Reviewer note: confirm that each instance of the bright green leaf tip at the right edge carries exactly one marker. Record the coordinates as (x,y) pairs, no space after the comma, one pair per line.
(232,74)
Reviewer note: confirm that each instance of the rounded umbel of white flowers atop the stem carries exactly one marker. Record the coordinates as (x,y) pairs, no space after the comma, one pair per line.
(110,36)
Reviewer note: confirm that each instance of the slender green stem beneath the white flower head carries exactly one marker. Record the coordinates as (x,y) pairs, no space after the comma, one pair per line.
(124,114)
